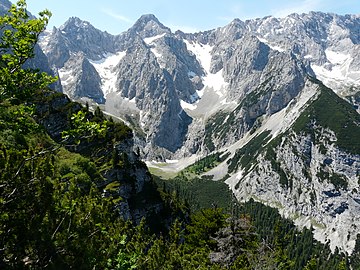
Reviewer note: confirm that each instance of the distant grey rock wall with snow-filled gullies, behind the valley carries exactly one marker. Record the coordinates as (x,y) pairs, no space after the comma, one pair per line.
(259,65)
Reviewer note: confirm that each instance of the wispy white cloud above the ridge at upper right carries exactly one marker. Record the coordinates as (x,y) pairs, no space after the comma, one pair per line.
(298,7)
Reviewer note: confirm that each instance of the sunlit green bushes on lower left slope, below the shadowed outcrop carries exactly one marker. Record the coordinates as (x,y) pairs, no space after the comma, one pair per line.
(52,213)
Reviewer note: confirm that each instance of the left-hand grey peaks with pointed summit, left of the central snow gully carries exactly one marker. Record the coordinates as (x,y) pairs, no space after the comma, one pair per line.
(156,83)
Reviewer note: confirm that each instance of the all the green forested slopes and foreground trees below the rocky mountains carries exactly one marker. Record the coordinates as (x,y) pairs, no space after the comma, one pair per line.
(62,169)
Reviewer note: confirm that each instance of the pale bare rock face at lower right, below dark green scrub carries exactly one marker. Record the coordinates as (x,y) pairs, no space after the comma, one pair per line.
(314,184)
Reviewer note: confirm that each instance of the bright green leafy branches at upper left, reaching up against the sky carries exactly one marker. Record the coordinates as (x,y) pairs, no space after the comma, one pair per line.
(19,36)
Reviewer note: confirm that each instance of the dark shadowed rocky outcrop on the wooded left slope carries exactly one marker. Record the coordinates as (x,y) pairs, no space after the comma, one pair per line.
(131,182)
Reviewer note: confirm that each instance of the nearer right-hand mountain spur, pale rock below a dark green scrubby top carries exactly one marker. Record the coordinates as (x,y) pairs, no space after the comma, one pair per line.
(310,172)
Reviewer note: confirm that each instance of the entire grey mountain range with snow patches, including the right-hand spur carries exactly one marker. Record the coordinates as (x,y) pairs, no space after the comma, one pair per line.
(276,98)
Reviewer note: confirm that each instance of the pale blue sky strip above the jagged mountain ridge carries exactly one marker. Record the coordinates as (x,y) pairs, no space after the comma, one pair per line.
(116,16)
